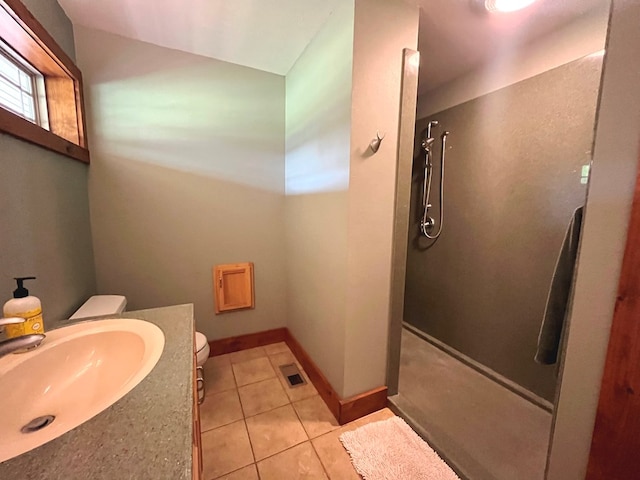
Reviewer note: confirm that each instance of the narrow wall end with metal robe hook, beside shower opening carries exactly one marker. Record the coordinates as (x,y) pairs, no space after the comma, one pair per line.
(377,73)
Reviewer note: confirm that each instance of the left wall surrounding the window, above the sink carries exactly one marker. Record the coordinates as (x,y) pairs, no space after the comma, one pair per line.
(44,211)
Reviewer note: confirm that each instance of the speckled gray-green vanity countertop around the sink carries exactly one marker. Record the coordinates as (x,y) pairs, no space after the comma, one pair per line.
(147,434)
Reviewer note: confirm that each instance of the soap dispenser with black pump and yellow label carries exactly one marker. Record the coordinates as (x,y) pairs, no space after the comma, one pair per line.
(24,306)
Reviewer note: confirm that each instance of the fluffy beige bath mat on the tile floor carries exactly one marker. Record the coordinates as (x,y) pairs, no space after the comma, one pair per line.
(391,450)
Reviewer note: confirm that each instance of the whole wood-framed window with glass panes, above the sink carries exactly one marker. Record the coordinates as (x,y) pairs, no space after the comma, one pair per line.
(40,87)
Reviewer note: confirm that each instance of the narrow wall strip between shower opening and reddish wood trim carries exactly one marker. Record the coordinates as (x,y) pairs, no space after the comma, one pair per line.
(606,220)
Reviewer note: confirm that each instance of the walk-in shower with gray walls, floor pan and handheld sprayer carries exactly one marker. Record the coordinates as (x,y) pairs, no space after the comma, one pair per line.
(474,299)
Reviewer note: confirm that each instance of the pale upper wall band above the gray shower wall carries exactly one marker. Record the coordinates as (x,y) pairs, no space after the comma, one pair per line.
(583,36)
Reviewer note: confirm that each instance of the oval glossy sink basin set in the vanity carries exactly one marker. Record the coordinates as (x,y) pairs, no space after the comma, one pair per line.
(77,372)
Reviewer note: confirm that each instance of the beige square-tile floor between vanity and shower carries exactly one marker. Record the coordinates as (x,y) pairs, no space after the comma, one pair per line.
(255,427)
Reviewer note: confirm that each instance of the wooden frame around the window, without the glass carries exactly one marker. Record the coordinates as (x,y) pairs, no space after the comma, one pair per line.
(63,85)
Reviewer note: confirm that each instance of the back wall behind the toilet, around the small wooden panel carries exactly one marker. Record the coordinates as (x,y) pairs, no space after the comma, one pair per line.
(187,173)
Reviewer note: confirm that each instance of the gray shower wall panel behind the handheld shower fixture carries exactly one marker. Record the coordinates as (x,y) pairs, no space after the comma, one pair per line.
(512,182)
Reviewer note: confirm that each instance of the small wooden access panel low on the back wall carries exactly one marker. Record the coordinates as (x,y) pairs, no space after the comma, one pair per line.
(233,287)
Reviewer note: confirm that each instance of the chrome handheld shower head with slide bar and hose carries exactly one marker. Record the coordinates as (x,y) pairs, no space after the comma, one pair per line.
(427,223)
